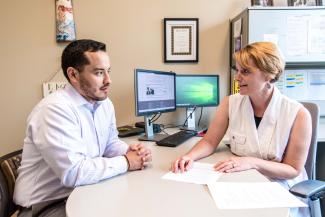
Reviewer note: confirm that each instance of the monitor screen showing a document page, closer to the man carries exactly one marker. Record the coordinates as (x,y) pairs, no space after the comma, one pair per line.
(154,92)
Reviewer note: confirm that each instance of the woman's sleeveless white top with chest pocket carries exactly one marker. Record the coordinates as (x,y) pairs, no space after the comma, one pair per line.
(270,139)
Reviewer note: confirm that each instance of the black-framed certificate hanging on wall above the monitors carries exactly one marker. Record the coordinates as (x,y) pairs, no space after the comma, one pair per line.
(181,39)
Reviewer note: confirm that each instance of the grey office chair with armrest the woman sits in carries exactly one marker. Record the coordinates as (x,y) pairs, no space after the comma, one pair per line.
(311,189)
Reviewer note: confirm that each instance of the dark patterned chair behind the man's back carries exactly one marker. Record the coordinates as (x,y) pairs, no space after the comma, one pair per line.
(8,173)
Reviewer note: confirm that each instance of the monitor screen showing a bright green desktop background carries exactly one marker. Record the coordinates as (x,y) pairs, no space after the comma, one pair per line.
(197,90)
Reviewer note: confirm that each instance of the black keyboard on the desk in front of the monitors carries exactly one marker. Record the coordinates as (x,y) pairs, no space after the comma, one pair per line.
(176,138)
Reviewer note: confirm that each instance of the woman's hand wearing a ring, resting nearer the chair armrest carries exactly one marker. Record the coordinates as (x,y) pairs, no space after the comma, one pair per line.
(235,164)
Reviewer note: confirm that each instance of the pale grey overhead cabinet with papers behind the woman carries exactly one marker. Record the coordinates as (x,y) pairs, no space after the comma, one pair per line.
(299,33)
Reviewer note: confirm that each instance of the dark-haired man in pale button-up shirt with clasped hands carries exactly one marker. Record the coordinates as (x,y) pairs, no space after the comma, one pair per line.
(71,136)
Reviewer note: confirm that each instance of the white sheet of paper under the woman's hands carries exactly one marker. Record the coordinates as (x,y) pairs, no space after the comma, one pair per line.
(201,173)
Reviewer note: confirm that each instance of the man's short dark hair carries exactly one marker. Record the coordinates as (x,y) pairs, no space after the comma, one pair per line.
(74,54)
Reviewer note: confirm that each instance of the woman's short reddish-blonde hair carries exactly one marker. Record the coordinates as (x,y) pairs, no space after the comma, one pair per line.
(266,57)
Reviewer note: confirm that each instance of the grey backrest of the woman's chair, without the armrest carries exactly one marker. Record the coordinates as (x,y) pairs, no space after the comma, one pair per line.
(311,158)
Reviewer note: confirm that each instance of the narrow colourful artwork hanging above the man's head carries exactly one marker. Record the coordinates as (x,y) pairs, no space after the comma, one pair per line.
(65,27)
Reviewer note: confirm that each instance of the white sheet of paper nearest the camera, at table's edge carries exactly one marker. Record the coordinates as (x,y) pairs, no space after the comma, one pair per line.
(252,195)
